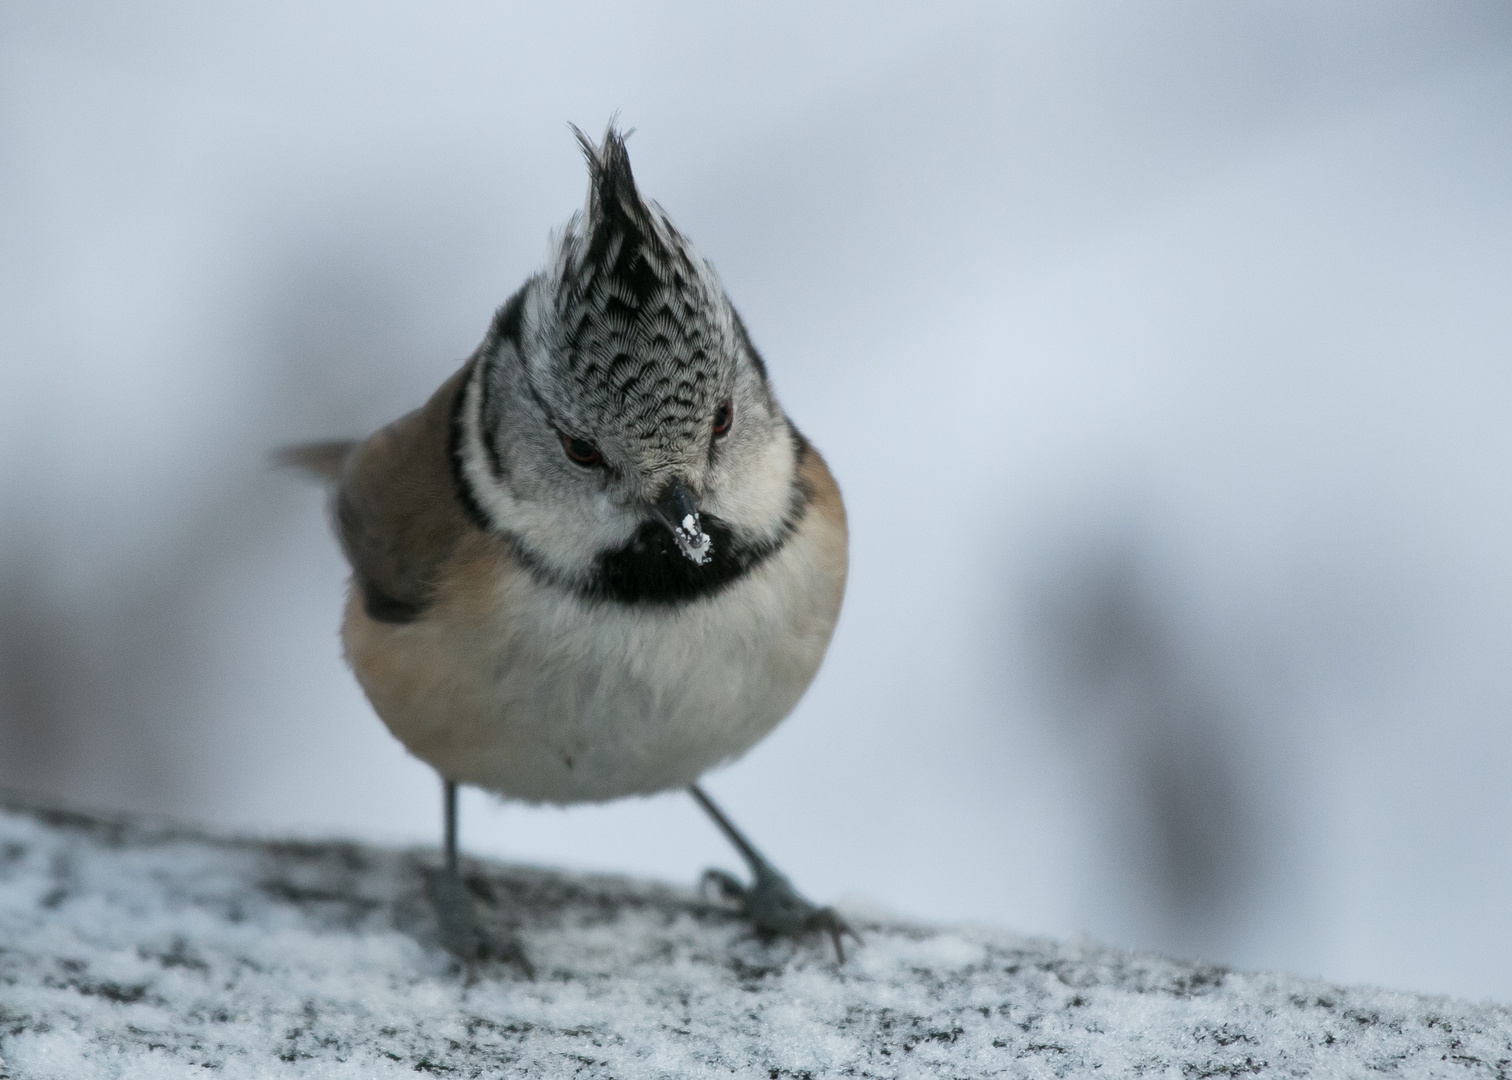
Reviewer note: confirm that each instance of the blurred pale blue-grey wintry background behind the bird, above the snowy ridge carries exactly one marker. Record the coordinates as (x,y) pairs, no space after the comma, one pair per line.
(1163,353)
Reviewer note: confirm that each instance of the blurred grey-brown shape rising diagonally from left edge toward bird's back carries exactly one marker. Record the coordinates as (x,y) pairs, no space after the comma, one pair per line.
(104,692)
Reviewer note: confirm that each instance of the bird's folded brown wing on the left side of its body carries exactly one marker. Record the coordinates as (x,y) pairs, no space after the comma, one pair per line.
(398,512)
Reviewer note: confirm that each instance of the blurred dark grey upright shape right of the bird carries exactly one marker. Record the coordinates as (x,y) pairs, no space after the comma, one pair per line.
(1180,808)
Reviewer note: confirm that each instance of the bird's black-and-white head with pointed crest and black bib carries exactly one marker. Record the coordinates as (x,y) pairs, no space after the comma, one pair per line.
(621,429)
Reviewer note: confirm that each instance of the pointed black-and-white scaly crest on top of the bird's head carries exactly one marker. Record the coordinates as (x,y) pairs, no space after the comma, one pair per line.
(642,334)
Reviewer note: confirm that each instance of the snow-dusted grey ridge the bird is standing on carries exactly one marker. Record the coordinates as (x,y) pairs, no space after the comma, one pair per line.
(141,951)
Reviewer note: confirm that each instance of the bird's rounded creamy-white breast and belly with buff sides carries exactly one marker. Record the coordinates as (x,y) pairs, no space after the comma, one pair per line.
(556,700)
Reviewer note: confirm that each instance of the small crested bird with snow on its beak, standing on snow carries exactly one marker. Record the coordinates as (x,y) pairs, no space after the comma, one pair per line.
(601,560)
